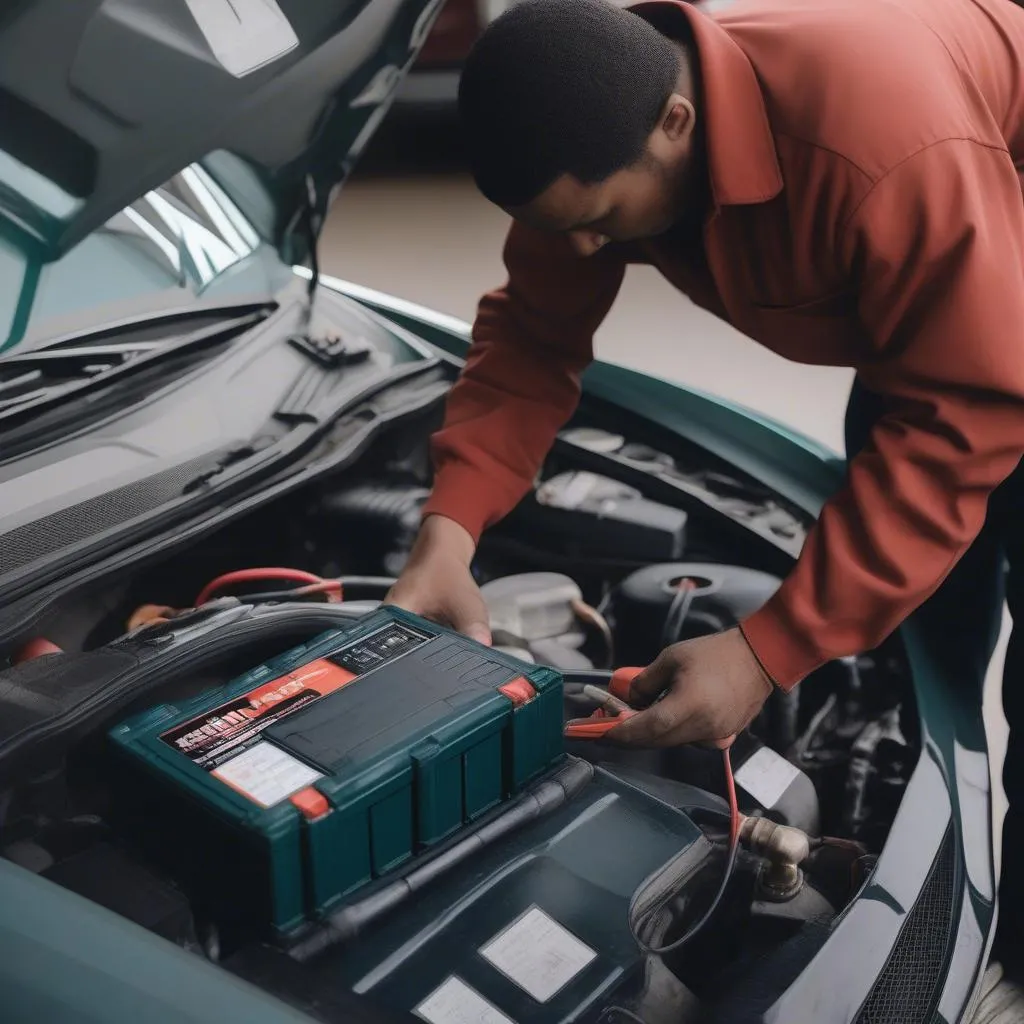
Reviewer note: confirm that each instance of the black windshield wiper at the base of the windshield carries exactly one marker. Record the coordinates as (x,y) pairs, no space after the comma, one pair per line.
(34,382)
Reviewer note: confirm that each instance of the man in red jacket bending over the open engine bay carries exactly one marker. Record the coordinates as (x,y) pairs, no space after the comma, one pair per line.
(838,181)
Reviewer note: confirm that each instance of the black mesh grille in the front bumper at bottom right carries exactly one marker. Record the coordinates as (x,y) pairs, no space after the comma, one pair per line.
(910,985)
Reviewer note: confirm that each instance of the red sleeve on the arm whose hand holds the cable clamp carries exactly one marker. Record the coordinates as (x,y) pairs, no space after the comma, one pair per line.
(937,251)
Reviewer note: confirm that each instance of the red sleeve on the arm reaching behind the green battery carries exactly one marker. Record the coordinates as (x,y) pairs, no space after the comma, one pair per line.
(532,340)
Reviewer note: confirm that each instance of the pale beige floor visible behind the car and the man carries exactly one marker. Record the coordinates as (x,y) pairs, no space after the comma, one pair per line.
(412,225)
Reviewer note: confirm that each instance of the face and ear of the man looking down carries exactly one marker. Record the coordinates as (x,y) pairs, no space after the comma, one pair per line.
(638,202)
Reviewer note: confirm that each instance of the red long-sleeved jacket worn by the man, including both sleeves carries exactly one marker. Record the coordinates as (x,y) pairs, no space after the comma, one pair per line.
(868,214)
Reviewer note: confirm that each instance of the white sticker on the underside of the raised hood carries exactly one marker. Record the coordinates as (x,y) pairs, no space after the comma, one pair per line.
(244,34)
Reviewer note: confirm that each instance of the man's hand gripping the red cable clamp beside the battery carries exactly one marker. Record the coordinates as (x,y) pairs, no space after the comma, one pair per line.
(714,688)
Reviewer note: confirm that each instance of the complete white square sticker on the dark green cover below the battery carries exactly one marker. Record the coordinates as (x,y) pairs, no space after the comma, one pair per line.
(540,956)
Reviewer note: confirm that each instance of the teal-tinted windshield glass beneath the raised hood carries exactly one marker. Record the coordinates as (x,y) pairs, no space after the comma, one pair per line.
(184,243)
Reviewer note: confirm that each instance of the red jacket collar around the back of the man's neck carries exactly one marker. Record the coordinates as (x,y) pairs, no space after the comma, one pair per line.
(743,163)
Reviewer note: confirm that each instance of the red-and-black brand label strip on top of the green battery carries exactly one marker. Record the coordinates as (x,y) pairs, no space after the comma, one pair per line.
(226,732)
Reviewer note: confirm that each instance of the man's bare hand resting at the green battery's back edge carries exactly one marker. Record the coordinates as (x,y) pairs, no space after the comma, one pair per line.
(438,583)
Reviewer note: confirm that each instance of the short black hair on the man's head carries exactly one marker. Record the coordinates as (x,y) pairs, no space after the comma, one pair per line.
(558,88)
